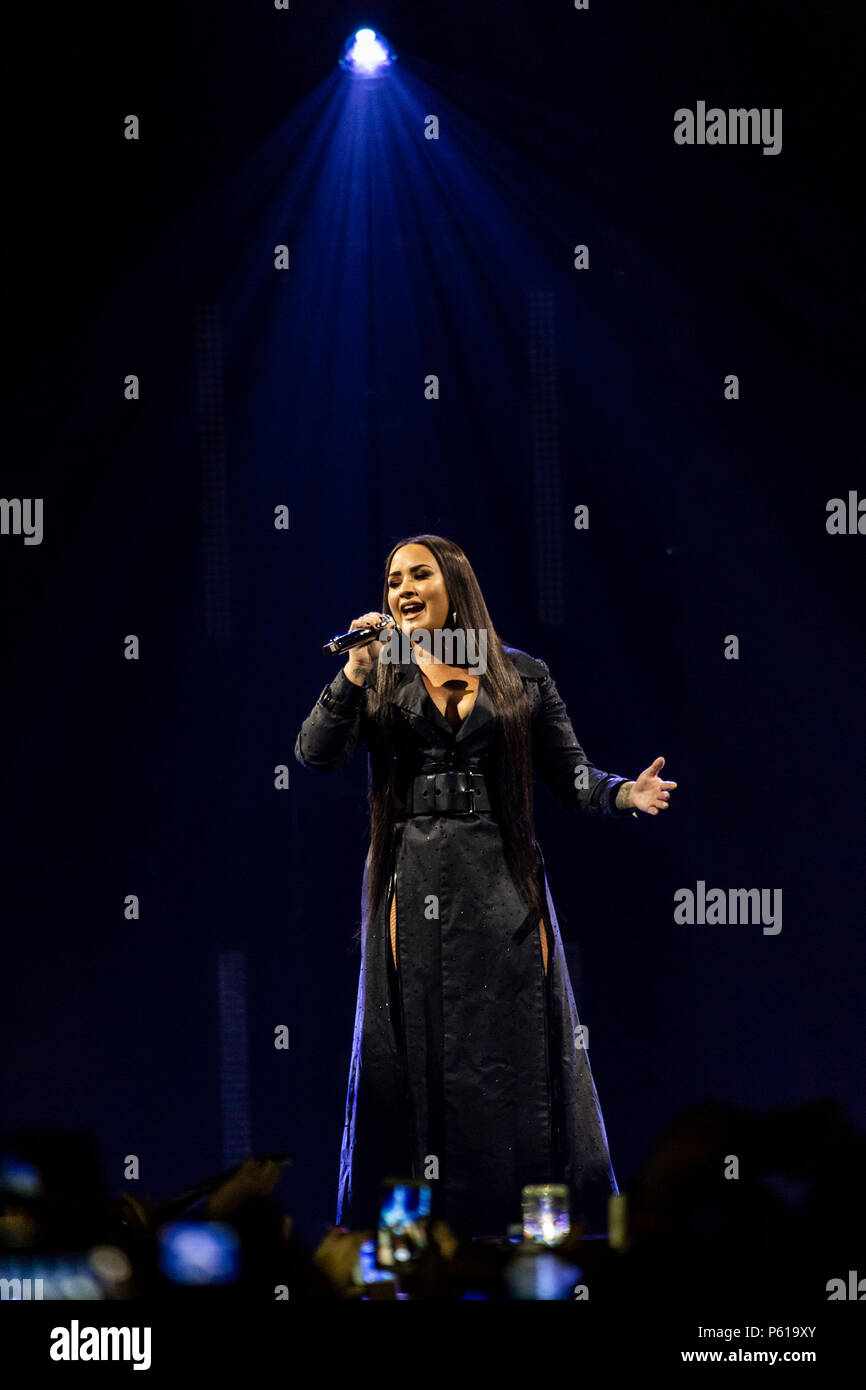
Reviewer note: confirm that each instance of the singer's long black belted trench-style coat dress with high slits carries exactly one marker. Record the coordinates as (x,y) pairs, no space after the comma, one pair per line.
(468,1063)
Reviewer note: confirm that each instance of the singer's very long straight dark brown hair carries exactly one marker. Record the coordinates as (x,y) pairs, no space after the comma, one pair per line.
(509,778)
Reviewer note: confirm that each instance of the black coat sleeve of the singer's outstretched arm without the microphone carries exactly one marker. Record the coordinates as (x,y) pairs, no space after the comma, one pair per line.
(562,764)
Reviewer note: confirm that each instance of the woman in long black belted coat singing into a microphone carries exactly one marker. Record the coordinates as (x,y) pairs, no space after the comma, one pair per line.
(468,1064)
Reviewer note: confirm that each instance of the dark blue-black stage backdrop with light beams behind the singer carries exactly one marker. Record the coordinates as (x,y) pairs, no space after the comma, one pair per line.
(708,518)
